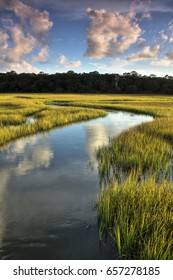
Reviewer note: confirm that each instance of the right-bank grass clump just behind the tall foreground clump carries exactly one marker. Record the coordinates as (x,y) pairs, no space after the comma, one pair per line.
(138,150)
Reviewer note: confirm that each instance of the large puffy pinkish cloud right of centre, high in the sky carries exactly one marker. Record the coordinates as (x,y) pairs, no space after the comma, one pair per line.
(110,33)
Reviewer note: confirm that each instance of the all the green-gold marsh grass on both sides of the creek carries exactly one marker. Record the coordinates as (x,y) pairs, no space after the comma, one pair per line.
(135,210)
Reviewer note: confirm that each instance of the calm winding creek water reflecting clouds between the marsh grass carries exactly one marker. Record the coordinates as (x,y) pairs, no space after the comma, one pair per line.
(48,188)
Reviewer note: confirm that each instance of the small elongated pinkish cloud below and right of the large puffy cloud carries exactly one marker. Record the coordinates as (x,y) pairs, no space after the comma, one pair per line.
(147,53)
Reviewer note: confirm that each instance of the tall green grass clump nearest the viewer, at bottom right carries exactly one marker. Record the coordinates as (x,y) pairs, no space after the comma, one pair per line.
(139,217)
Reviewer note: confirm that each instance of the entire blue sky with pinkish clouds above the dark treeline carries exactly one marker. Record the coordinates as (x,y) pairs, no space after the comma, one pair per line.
(108,36)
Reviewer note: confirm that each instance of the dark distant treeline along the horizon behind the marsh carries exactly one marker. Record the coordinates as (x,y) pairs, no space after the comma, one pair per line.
(92,82)
